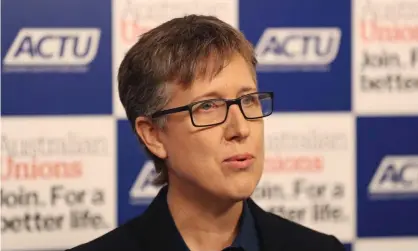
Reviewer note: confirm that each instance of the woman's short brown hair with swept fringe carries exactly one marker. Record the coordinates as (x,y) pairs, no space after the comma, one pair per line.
(178,51)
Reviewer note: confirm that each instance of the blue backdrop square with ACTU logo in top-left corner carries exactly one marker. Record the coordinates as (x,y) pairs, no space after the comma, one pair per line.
(56,57)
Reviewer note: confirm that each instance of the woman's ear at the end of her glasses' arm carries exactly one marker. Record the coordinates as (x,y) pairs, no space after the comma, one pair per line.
(150,135)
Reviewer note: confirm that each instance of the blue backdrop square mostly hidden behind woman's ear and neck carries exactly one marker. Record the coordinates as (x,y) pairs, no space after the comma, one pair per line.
(135,174)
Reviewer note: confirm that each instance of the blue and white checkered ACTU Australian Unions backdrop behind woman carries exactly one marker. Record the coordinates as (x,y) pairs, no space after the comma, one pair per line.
(341,147)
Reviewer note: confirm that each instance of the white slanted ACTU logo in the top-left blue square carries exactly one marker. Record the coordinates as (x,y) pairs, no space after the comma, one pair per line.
(53,47)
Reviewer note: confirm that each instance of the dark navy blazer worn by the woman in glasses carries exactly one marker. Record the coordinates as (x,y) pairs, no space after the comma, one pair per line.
(154,230)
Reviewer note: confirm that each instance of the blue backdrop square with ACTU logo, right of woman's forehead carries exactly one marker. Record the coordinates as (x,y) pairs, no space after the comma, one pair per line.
(303,49)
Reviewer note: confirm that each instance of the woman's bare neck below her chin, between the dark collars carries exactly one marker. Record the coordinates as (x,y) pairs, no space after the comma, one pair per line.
(204,221)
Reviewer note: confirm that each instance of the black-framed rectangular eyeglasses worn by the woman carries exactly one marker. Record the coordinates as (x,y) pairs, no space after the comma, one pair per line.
(213,112)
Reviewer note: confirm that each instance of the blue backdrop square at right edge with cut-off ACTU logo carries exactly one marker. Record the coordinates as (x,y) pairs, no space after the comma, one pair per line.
(387,165)
